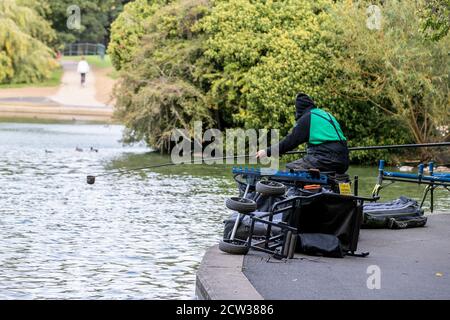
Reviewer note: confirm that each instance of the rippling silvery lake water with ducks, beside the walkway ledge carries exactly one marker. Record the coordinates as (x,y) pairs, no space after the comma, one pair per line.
(139,235)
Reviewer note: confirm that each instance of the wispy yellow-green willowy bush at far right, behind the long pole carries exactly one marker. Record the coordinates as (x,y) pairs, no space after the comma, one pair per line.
(394,69)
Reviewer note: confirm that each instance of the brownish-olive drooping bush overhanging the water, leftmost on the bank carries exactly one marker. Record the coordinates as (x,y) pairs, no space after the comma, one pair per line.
(164,91)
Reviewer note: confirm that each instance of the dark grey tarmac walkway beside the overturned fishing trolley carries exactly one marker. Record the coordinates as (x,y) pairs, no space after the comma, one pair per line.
(414,264)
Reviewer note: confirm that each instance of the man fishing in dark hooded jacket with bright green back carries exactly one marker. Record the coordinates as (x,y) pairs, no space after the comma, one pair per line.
(327,146)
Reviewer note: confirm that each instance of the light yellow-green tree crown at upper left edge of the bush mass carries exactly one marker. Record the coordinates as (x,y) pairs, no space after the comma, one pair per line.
(129,28)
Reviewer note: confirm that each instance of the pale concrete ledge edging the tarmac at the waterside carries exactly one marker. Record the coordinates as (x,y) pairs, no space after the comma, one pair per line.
(220,277)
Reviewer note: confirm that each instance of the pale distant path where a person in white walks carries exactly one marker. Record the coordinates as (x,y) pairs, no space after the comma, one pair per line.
(71,93)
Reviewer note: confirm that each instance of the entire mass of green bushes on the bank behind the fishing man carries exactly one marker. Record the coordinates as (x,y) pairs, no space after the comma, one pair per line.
(240,63)
